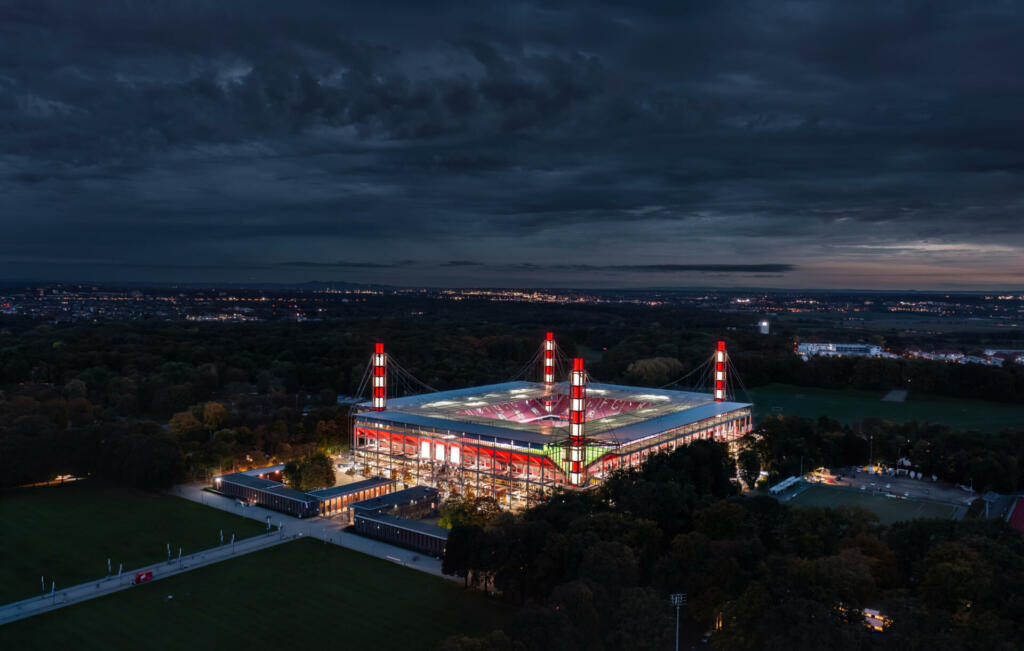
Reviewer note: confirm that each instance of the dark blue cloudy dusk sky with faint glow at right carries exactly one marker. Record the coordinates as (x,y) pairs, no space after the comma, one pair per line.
(770,144)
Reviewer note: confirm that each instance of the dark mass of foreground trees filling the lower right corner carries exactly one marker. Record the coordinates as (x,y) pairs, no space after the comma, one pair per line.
(594,571)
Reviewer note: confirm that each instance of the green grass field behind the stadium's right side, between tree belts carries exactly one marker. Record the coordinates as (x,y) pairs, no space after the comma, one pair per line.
(850,407)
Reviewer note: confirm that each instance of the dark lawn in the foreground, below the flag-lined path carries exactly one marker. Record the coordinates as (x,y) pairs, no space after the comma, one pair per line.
(301,595)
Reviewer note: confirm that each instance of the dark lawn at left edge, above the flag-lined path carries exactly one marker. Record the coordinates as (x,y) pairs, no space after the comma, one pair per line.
(67,533)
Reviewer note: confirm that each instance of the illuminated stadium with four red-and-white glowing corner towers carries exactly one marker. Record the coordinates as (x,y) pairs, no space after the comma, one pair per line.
(519,441)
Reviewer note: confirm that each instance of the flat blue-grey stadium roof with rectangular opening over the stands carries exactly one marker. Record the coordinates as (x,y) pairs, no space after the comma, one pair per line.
(646,412)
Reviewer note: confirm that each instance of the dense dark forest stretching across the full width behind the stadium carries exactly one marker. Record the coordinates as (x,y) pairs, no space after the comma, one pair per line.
(152,403)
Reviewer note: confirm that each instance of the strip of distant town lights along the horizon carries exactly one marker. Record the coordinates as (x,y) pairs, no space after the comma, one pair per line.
(58,302)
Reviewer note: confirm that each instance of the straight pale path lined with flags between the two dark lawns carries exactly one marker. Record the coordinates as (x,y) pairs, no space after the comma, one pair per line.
(84,592)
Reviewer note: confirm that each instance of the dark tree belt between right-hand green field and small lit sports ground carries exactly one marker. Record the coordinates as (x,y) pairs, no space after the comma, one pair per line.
(990,462)
